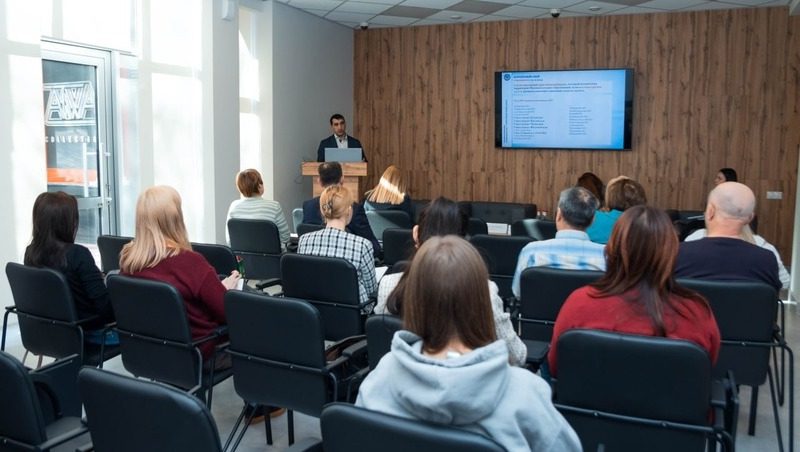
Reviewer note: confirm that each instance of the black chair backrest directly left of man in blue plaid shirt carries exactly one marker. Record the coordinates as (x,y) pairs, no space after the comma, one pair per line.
(501,254)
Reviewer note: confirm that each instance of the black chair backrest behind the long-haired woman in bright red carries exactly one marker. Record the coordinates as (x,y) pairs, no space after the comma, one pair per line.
(635,376)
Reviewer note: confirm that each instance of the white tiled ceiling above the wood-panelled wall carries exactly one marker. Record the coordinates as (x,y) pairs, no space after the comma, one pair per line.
(400,13)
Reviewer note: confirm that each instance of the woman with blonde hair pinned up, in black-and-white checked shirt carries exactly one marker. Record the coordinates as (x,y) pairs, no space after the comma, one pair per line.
(336,206)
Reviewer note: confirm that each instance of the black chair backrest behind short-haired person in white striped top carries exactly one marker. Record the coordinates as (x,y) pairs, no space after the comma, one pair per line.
(258,243)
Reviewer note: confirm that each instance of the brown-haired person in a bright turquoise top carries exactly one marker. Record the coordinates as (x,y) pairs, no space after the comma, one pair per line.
(621,193)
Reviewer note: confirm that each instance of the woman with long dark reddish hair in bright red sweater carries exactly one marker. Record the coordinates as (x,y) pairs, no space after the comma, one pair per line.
(638,293)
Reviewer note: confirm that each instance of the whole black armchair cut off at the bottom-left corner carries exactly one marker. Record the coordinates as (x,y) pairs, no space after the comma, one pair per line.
(34,416)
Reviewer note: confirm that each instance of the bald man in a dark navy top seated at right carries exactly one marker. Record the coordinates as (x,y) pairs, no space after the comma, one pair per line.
(723,255)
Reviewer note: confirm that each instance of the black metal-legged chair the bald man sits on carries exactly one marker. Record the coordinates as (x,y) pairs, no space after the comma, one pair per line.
(746,313)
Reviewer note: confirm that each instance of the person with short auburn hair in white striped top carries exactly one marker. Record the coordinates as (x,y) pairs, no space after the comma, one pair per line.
(253,206)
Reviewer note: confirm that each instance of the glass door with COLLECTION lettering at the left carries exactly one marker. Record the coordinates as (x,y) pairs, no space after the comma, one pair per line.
(77,102)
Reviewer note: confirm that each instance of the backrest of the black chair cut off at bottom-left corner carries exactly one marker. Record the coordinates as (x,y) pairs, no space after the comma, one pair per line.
(21,418)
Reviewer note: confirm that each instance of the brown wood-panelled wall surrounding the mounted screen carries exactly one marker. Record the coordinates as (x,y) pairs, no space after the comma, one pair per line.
(712,89)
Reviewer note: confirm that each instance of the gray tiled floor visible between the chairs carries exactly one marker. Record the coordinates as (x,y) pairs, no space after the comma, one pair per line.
(227,405)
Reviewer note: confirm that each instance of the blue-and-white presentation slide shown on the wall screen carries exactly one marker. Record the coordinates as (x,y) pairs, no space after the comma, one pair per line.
(563,109)
